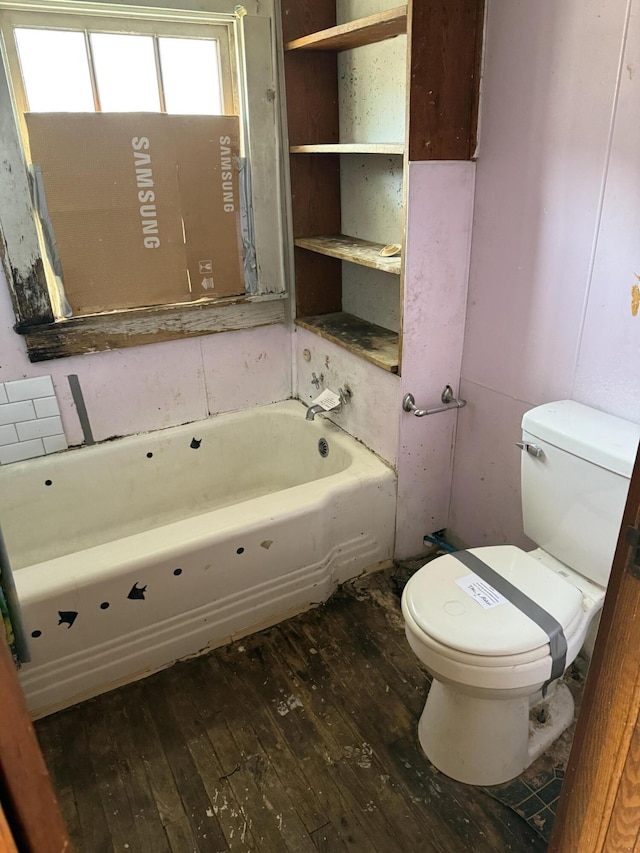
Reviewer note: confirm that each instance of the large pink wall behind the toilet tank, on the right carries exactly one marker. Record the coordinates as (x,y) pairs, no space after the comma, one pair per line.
(555,241)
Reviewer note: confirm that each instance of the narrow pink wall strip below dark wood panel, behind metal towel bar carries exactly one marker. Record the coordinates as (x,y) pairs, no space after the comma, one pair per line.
(439,209)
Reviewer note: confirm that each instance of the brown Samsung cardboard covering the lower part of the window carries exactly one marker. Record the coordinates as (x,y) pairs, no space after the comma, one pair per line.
(144,206)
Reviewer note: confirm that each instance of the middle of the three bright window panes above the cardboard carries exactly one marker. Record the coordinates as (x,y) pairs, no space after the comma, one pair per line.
(125,70)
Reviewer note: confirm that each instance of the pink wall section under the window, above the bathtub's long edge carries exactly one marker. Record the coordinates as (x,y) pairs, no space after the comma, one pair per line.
(143,388)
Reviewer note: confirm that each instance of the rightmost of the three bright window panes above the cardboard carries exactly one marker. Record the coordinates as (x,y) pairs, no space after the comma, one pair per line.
(190,76)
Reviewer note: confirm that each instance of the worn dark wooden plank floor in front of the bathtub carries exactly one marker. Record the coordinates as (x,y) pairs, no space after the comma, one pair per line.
(301,738)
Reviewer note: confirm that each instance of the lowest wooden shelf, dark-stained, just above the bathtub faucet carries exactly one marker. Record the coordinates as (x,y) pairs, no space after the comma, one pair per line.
(371,342)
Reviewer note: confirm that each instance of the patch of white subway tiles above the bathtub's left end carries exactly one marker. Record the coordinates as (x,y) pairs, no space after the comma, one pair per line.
(30,423)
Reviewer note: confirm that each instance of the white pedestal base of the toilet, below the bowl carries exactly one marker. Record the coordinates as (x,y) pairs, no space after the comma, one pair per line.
(489,741)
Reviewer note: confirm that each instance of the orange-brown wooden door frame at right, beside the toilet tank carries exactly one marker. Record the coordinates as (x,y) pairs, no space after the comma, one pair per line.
(599,808)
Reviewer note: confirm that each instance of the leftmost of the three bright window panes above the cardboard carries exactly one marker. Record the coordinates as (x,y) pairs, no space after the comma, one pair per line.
(55,70)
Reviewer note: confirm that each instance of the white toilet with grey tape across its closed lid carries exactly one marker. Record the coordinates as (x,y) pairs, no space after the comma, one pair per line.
(496,626)
